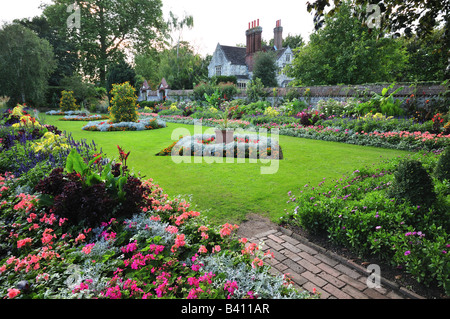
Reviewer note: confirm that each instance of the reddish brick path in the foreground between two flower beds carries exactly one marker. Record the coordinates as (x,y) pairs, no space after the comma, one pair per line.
(313,267)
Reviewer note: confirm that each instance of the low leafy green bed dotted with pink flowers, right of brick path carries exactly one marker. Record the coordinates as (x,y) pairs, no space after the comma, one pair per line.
(357,212)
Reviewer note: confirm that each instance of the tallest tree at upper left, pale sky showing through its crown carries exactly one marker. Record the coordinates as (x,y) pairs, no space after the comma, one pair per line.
(107,29)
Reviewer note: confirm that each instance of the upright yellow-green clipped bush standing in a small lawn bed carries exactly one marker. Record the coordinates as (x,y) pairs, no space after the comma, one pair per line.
(123,103)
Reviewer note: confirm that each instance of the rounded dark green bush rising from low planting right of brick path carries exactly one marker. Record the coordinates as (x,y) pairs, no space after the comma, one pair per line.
(413,184)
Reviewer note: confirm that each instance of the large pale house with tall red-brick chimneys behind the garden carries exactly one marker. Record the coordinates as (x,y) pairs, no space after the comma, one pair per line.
(238,61)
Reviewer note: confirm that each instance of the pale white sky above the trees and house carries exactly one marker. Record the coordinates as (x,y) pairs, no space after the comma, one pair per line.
(223,22)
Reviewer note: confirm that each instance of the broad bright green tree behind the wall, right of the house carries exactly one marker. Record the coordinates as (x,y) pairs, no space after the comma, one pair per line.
(344,51)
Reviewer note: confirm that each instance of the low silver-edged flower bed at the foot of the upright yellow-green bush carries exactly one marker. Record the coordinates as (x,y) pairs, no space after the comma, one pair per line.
(140,125)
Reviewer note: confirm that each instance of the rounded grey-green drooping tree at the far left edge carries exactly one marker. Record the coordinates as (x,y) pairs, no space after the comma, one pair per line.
(26,62)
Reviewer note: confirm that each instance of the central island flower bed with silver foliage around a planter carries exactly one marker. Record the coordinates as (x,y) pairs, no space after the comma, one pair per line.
(243,146)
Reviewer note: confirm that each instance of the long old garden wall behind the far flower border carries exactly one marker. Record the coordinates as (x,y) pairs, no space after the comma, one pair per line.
(314,94)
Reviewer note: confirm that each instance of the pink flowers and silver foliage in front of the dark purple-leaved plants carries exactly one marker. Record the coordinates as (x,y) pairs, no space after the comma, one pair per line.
(164,251)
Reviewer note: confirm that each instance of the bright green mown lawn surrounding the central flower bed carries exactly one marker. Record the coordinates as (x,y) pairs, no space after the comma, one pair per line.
(227,192)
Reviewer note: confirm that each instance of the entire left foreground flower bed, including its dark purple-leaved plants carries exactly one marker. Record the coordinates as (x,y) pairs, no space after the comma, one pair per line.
(88,228)
